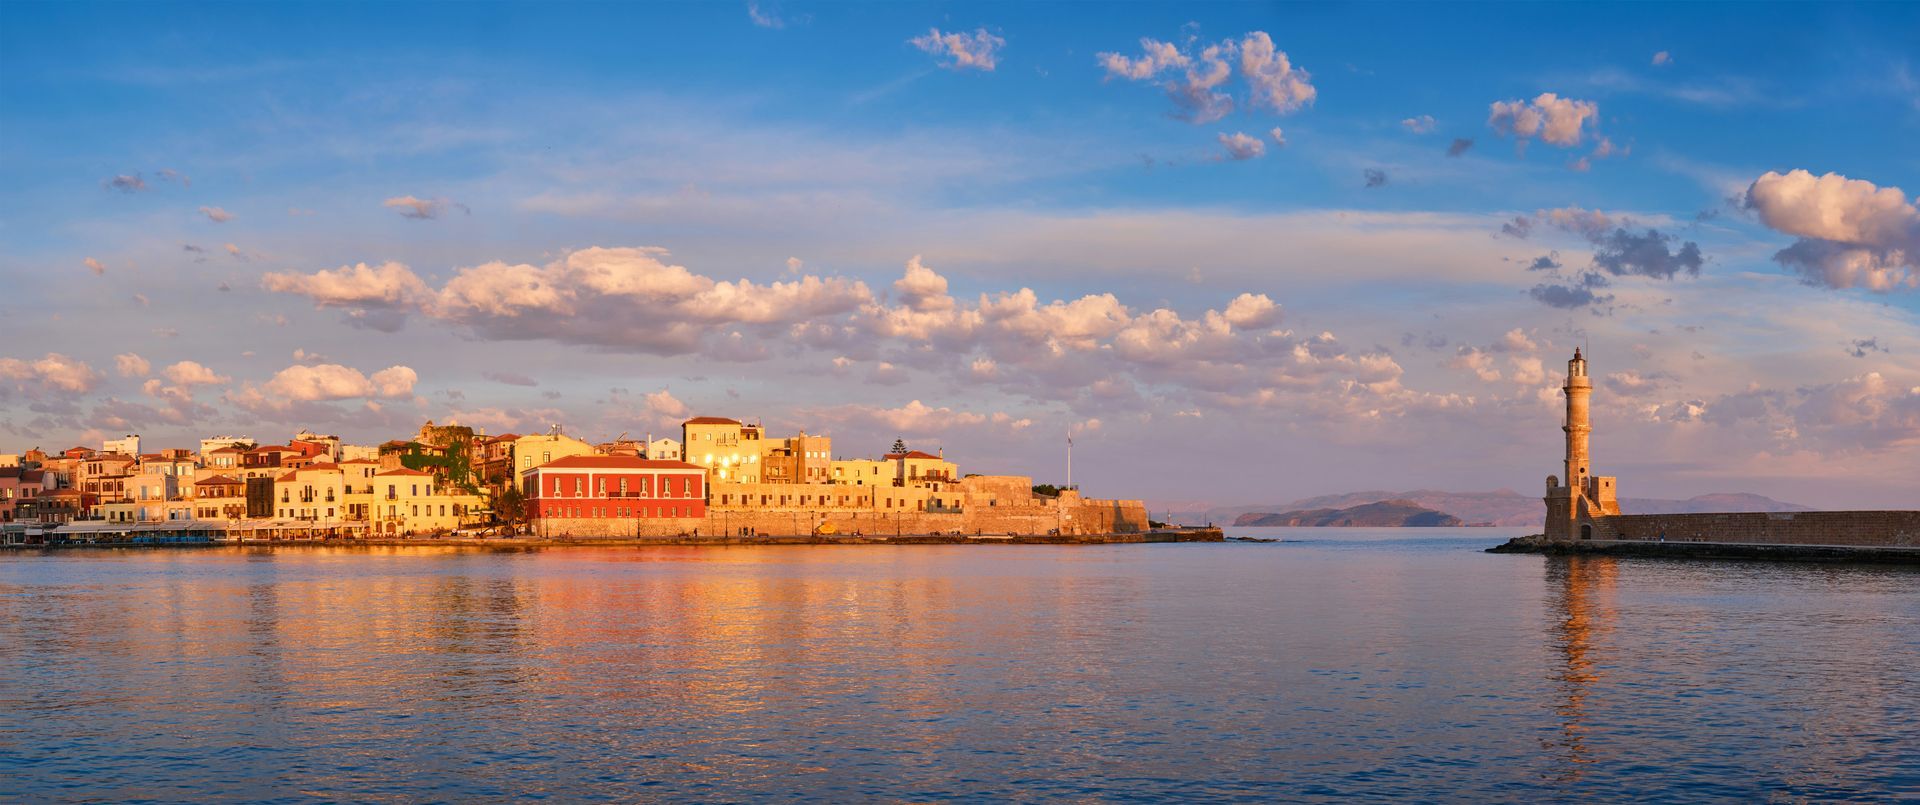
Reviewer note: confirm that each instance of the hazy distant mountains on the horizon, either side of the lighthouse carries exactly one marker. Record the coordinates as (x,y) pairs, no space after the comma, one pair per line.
(1500,508)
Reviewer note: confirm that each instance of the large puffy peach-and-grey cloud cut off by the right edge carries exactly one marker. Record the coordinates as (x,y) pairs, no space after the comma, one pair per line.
(1852,233)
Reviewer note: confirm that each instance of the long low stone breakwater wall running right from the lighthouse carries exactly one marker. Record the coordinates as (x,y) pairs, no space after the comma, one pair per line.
(1865,529)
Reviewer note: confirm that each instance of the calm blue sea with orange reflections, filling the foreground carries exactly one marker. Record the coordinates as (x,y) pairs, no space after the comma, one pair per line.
(1339,664)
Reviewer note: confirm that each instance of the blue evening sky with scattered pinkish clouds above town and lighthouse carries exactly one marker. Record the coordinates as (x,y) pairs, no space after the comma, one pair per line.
(1243,253)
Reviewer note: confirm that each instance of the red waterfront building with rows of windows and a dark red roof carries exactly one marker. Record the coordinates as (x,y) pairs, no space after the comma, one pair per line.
(613,487)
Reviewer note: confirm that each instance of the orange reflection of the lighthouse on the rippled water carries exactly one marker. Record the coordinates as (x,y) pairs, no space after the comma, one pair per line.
(1579,591)
